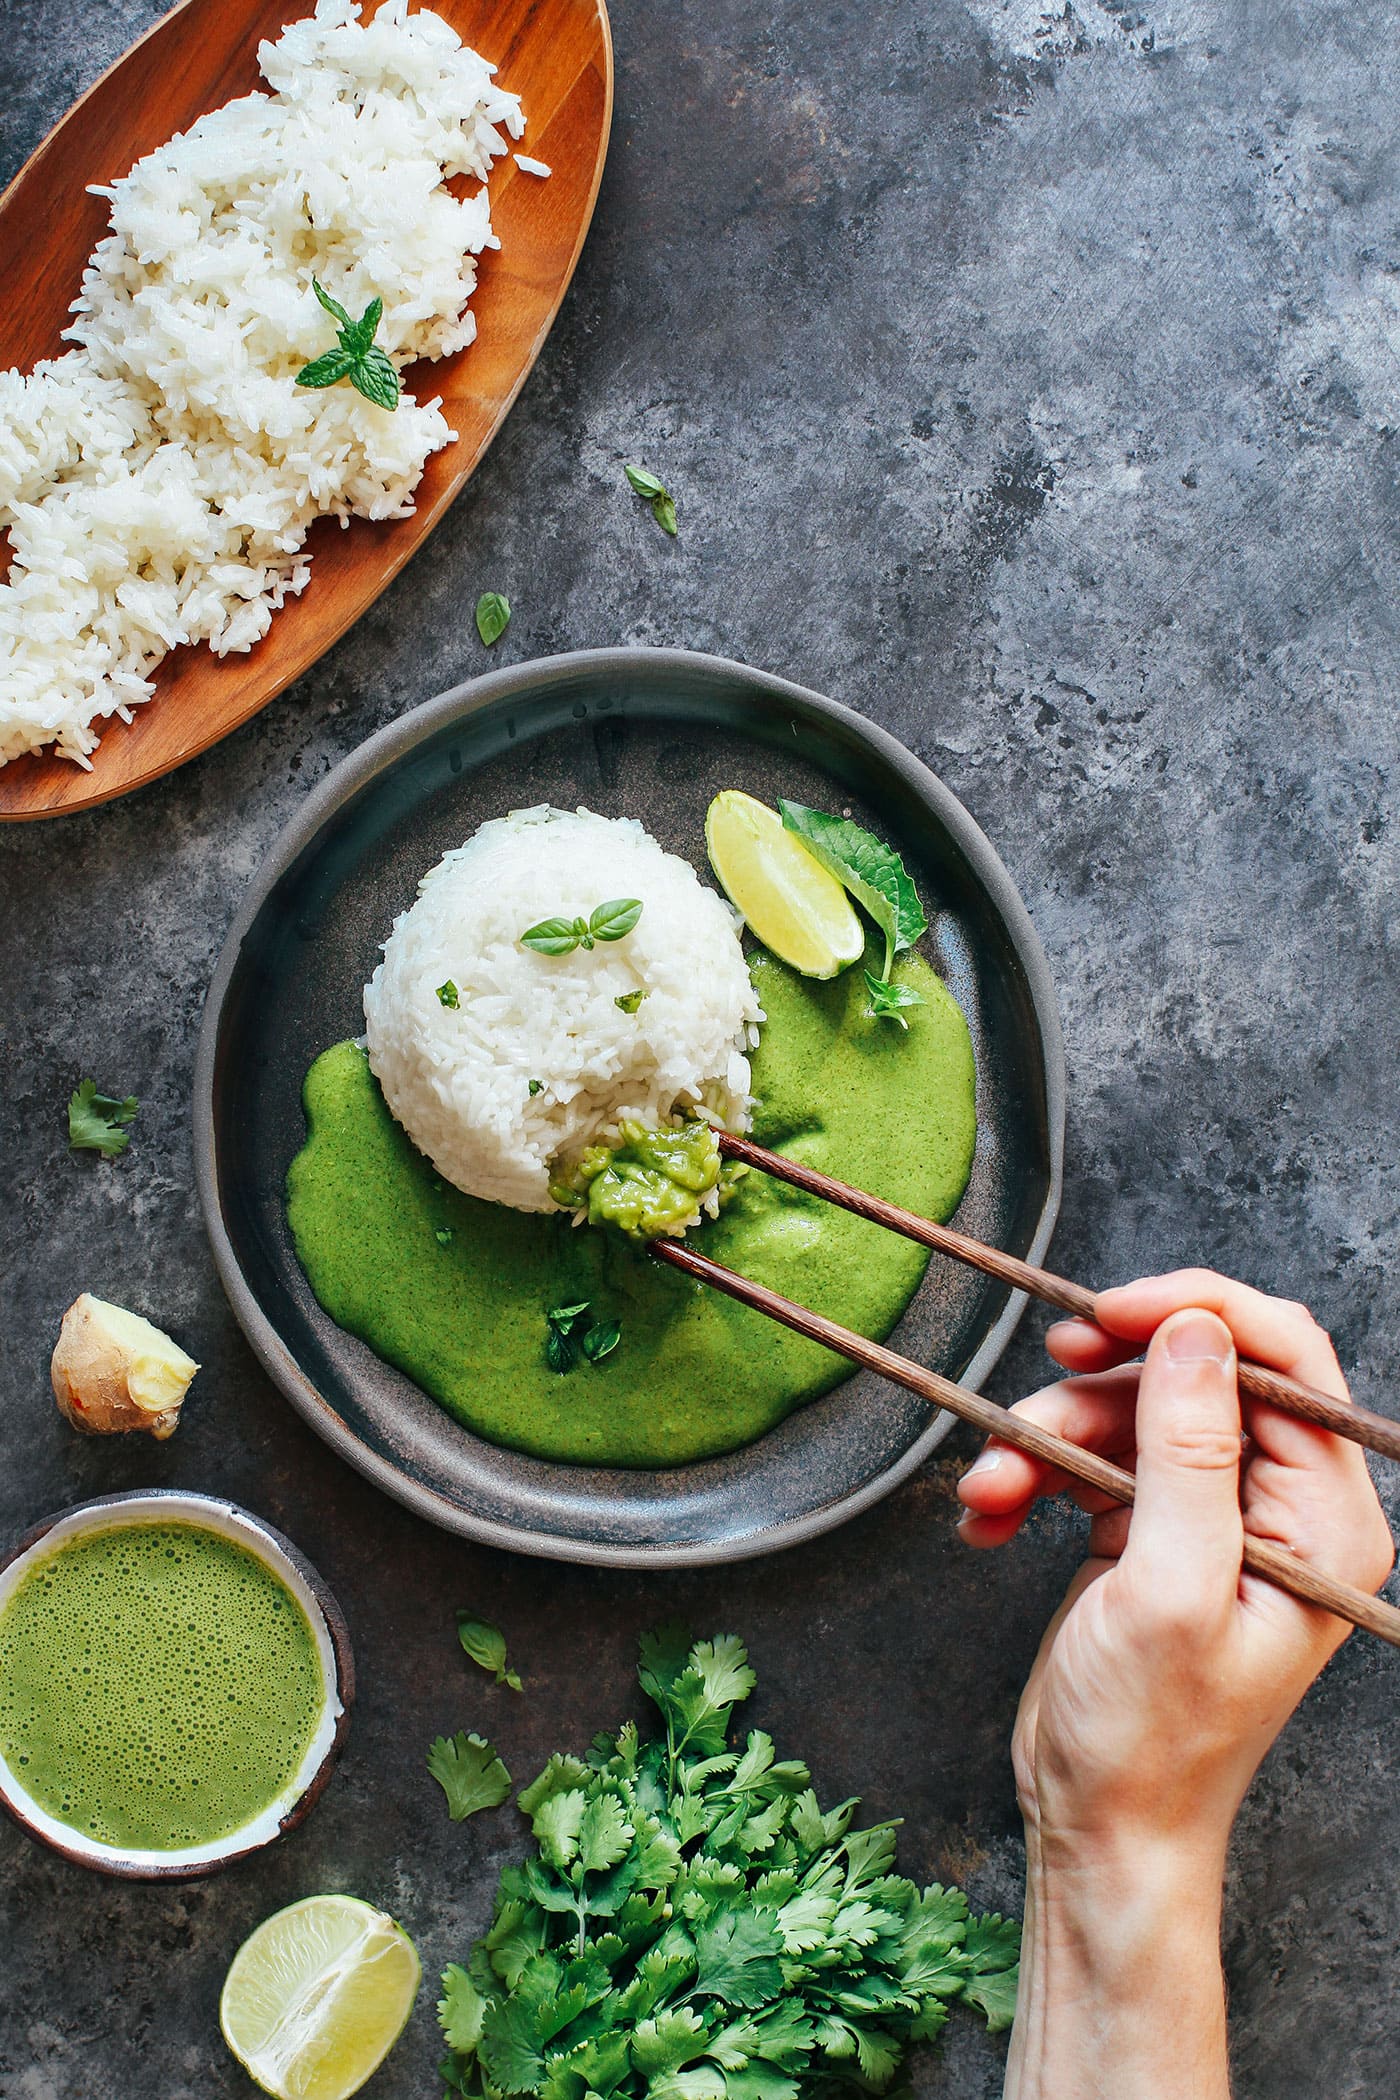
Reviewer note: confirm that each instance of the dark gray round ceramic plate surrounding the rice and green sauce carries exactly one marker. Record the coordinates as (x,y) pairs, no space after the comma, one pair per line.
(654,736)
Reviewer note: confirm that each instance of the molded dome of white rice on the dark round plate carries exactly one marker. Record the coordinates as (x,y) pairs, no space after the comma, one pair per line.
(461,1078)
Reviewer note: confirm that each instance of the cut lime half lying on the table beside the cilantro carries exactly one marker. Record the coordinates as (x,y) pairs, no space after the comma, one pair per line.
(318,1996)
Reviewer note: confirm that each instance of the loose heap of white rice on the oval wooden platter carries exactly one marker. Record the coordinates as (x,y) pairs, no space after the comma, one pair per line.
(158,482)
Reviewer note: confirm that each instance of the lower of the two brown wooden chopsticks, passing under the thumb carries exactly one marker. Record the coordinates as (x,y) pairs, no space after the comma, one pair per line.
(1260,1557)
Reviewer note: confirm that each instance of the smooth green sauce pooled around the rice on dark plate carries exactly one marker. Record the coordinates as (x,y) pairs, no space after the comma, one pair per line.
(457,1293)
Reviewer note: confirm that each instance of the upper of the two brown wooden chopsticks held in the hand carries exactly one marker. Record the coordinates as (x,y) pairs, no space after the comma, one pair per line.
(1359,1425)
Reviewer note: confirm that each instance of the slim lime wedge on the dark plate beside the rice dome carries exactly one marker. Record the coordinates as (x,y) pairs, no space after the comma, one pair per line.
(794,906)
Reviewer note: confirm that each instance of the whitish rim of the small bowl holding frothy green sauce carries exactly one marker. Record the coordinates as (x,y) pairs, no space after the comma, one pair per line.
(331,1635)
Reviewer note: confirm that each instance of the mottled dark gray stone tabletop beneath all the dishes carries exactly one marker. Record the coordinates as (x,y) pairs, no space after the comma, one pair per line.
(1030,383)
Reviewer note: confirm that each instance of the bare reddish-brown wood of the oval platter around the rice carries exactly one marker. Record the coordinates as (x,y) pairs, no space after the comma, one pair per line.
(557,56)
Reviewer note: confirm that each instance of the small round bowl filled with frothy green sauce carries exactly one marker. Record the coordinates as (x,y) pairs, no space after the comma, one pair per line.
(171,1685)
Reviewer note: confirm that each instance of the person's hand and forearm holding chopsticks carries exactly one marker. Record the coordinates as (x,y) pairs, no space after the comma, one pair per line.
(1168,1673)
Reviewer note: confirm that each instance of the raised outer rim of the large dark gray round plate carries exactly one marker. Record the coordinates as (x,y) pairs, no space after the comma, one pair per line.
(341,786)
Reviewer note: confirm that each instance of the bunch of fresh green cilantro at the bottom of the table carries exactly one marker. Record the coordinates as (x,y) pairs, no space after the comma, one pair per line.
(694,1927)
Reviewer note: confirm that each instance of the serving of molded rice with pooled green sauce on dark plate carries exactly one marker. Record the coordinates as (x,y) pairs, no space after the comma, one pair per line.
(488,1305)
